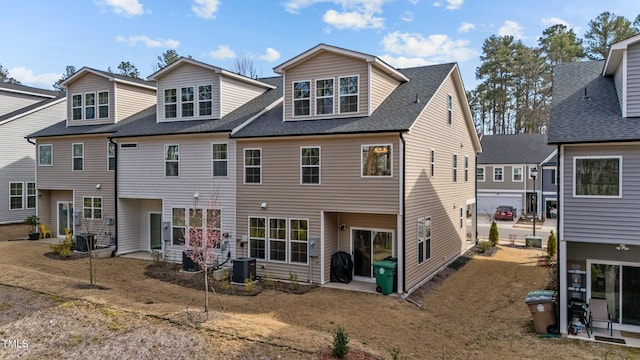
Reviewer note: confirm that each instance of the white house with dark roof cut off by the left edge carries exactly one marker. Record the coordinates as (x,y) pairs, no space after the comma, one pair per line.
(23,110)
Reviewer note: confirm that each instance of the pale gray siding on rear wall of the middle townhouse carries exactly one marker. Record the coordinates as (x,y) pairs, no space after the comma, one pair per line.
(142,176)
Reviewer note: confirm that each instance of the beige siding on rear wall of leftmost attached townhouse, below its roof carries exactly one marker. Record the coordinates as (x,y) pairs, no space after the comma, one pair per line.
(61,177)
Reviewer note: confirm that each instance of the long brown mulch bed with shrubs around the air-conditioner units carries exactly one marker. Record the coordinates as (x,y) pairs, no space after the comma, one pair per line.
(172,273)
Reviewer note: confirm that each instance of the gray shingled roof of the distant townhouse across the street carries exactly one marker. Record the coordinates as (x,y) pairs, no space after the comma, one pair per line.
(514,149)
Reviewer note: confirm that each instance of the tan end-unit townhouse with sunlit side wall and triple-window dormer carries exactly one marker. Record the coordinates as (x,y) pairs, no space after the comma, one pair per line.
(359,158)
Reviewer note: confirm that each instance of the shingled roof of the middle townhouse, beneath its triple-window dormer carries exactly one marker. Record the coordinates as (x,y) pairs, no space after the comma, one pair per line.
(144,123)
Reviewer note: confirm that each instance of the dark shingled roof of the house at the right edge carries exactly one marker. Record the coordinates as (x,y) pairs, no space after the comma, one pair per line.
(598,118)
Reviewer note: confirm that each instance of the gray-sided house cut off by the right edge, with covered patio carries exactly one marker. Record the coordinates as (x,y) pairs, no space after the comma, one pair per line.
(595,124)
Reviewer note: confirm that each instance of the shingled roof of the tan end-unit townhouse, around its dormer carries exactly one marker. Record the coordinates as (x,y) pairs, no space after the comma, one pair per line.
(397,113)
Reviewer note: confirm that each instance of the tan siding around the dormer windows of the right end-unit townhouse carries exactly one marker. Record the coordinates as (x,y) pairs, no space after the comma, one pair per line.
(322,66)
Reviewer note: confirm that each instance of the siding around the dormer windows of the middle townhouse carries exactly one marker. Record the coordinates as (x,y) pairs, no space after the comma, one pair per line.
(189,75)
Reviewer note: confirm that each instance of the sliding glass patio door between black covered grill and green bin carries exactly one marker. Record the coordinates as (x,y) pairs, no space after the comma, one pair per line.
(369,246)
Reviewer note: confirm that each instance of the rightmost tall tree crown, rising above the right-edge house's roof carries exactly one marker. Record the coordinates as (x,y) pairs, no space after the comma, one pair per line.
(605,30)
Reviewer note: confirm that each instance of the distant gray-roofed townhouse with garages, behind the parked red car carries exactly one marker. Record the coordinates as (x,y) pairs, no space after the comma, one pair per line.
(504,174)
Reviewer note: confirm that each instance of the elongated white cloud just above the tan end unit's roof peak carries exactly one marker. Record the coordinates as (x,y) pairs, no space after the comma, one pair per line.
(434,48)
